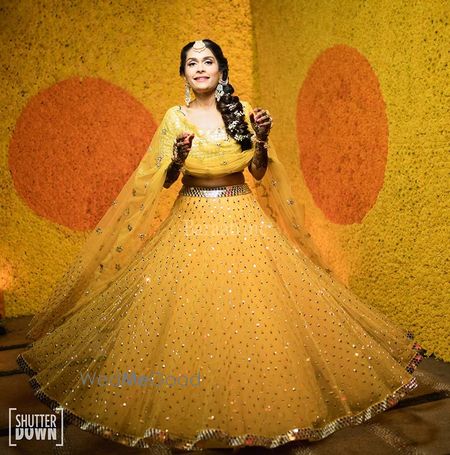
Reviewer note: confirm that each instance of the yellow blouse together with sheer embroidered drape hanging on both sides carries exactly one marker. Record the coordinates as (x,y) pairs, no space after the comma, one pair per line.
(128,223)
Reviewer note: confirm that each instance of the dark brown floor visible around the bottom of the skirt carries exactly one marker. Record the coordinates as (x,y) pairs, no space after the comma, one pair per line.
(419,424)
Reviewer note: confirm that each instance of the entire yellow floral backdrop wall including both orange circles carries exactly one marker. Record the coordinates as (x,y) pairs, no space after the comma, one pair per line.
(356,89)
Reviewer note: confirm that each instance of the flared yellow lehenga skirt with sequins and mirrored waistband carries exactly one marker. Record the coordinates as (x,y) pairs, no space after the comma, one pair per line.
(221,334)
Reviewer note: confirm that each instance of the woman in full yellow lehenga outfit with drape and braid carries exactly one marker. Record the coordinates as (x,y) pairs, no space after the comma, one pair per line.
(224,326)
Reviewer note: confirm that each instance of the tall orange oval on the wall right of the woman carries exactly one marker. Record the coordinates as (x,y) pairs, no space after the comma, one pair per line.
(342,132)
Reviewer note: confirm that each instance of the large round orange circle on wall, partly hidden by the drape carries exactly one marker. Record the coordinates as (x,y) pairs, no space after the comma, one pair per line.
(74,147)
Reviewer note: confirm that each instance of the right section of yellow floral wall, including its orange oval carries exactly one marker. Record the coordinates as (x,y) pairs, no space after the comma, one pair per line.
(358,91)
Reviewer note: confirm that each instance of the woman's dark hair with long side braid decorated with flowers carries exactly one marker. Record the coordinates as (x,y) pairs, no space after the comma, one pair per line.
(228,105)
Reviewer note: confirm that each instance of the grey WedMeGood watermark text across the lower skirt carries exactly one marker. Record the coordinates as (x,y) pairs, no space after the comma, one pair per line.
(130,378)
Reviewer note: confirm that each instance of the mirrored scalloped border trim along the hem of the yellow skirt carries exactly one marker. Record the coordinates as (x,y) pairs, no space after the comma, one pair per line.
(159,437)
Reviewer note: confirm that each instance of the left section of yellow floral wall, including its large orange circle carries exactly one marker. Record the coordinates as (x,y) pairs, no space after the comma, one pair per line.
(84,85)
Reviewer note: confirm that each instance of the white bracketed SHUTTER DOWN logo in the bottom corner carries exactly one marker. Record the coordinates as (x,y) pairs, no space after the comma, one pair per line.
(41,427)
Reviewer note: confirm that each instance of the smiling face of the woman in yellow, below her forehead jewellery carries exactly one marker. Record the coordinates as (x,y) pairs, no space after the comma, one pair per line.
(201,70)
